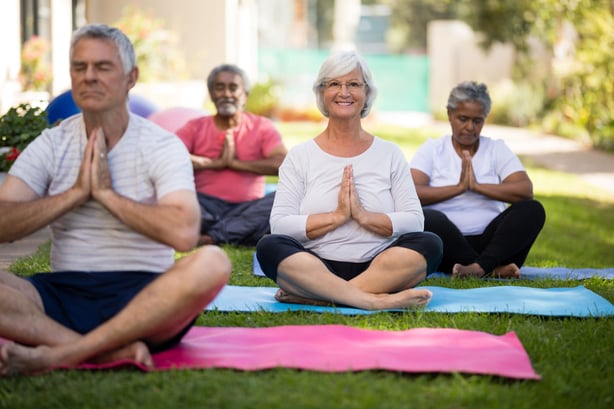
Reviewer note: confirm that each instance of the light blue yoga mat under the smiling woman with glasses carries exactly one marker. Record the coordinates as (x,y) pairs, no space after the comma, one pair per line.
(562,302)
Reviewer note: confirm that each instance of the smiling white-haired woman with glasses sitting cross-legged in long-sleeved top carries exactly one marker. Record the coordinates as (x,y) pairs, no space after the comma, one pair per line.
(347,225)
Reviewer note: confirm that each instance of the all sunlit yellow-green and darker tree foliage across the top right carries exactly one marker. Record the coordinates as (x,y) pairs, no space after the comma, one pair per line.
(580,96)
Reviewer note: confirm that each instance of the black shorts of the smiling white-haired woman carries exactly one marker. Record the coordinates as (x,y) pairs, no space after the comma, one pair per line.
(273,249)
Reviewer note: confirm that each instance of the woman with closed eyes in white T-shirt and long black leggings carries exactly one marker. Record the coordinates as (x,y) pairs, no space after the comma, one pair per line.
(465,182)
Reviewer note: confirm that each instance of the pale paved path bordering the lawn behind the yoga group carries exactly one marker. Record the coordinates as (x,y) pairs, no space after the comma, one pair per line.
(548,151)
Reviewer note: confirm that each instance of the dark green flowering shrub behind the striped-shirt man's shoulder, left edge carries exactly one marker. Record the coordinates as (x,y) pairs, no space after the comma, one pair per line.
(18,127)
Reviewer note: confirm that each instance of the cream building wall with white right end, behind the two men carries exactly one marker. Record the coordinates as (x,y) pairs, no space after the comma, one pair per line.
(210,32)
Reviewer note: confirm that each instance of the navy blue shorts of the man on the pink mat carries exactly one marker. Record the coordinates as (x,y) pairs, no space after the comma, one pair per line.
(82,301)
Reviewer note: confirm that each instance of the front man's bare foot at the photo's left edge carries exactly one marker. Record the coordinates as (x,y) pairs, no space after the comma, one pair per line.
(17,359)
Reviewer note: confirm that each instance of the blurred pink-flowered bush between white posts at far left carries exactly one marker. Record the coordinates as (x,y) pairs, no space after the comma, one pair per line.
(35,73)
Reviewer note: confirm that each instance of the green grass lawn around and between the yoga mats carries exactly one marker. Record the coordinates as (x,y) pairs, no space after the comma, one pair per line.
(574,356)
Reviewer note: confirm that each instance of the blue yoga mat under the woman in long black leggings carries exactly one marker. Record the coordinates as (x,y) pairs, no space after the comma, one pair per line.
(526,273)
